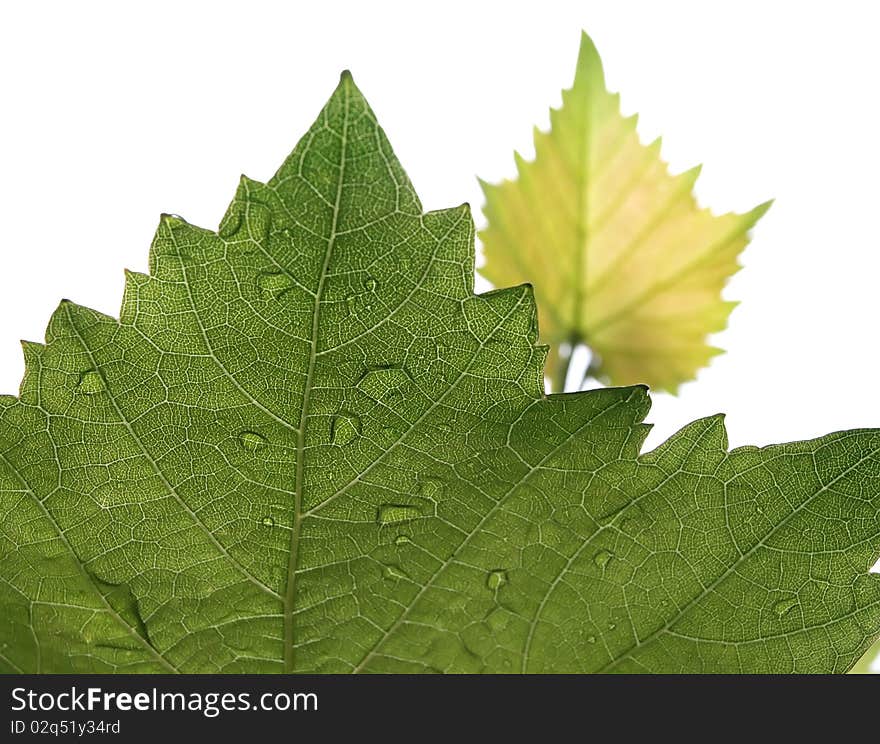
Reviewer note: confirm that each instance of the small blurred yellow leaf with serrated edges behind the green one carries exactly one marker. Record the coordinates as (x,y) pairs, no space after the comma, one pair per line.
(622,258)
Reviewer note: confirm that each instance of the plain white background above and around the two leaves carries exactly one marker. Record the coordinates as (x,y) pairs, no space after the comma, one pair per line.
(112,114)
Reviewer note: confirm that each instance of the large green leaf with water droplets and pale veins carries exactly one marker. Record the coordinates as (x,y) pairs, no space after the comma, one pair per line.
(308,446)
